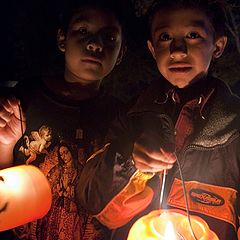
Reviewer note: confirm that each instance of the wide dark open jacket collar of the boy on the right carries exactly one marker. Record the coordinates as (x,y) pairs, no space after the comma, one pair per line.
(220,111)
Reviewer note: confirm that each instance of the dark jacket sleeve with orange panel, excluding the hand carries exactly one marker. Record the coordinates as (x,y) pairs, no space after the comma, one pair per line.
(111,187)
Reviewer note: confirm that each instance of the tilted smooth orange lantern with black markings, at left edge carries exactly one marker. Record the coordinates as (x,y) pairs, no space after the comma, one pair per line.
(25,195)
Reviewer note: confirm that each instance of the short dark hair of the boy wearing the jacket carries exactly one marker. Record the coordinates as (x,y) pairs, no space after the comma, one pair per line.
(214,10)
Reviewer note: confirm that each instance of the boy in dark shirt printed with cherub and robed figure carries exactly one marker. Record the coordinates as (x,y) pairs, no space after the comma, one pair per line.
(66,118)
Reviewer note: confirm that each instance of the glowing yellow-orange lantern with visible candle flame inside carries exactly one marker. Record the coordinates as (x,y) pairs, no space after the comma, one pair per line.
(170,225)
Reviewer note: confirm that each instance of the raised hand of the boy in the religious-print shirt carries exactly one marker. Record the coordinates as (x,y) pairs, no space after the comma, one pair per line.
(11,129)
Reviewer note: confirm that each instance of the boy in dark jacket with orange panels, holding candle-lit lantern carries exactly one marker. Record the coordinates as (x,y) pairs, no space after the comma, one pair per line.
(186,115)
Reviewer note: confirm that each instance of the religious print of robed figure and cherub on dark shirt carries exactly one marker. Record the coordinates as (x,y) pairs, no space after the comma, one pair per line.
(61,162)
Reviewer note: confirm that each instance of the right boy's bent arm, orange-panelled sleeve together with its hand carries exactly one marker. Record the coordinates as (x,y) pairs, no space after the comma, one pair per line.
(113,187)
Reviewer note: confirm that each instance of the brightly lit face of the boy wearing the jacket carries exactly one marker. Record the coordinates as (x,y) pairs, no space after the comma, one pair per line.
(183,44)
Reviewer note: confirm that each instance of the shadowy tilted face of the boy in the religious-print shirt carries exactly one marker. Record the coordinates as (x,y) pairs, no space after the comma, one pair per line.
(92,45)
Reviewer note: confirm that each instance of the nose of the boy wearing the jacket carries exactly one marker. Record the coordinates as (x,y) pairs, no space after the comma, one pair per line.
(178,49)
